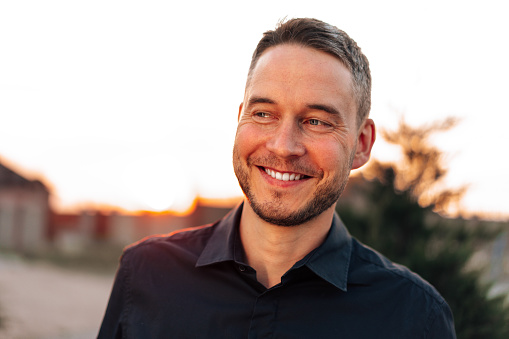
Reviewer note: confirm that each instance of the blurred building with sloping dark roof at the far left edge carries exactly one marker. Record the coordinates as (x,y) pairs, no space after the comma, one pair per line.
(24,212)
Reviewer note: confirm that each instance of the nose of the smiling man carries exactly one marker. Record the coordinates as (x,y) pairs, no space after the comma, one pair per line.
(286,141)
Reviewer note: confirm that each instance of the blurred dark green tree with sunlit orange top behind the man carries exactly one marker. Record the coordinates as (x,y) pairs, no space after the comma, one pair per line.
(398,218)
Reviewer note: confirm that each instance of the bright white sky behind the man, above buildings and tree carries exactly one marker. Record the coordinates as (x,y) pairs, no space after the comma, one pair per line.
(134,103)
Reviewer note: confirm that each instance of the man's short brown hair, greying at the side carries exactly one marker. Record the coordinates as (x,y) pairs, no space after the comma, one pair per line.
(321,36)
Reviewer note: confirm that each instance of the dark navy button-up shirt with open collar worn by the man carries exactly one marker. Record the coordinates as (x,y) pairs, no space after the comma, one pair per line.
(196,284)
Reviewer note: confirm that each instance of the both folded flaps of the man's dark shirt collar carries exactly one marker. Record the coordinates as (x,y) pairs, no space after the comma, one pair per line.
(330,260)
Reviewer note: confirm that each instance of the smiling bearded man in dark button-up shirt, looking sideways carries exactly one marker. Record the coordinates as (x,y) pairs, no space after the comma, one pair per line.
(282,264)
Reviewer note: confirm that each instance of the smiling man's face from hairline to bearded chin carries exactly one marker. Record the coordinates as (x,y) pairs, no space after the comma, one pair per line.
(297,136)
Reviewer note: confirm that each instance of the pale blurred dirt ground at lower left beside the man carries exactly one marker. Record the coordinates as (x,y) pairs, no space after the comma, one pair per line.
(41,301)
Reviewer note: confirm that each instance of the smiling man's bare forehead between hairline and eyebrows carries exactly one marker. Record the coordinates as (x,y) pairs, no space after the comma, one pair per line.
(302,74)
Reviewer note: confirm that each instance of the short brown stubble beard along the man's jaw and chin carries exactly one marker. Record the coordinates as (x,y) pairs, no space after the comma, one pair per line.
(274,211)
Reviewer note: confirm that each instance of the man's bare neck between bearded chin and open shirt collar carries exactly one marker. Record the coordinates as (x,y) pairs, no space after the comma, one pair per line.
(272,250)
